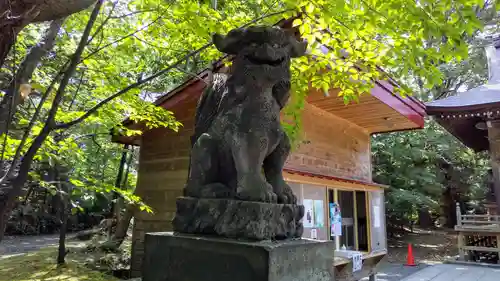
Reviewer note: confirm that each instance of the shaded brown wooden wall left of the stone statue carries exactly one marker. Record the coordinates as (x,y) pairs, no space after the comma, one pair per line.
(163,169)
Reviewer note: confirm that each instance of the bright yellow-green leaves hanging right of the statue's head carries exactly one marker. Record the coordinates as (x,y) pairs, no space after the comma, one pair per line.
(363,35)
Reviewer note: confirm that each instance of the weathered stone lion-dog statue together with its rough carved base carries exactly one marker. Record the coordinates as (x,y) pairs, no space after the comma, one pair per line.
(235,186)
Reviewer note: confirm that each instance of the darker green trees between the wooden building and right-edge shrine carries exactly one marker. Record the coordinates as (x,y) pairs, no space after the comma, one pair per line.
(420,165)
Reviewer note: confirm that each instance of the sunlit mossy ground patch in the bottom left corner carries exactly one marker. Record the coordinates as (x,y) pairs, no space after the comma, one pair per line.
(41,265)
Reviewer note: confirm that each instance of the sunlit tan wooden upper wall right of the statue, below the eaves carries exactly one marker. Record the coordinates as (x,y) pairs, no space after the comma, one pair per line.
(332,146)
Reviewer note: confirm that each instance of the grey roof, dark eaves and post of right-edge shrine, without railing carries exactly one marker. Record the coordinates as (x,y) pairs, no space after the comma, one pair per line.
(473,117)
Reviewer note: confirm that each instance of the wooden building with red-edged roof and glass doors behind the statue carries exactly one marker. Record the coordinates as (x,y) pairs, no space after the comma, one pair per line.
(330,167)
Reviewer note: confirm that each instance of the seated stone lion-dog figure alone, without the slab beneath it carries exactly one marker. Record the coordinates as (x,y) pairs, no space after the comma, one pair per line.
(237,124)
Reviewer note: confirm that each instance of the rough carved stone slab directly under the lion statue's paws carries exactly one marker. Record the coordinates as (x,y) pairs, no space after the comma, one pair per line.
(238,219)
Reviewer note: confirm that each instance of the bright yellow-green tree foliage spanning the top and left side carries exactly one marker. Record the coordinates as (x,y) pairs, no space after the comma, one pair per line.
(134,39)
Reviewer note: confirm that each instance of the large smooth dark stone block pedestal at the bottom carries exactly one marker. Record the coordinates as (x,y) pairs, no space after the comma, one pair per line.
(181,257)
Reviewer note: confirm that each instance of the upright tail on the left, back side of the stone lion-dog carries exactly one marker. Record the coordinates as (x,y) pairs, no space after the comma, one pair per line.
(208,105)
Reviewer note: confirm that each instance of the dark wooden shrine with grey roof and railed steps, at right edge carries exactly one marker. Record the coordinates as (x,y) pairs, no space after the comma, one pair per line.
(473,117)
